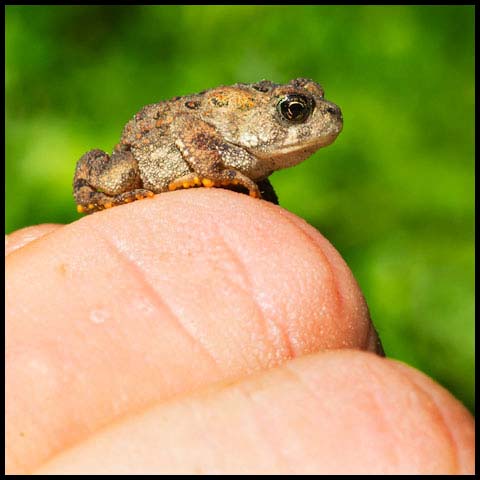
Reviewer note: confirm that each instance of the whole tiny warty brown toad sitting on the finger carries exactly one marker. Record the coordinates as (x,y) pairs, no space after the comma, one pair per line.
(236,135)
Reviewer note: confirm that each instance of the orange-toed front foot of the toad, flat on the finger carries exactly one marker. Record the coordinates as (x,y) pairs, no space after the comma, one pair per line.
(223,178)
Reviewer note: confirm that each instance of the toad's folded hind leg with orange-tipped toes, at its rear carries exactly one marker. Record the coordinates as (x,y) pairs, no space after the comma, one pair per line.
(102,181)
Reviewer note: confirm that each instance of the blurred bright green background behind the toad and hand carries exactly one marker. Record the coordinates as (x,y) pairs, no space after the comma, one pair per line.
(394,194)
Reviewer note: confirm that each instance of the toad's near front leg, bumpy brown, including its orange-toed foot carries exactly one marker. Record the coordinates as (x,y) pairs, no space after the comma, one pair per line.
(209,157)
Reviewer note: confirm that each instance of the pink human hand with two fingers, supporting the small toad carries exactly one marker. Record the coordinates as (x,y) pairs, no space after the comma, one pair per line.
(207,332)
